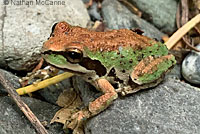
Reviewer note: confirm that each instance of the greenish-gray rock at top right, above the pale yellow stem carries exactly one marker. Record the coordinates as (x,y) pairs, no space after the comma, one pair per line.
(162,13)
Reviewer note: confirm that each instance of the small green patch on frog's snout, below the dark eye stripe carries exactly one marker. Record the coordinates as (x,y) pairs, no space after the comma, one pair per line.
(56,59)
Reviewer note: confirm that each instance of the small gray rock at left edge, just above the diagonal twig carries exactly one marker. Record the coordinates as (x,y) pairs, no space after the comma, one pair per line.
(14,80)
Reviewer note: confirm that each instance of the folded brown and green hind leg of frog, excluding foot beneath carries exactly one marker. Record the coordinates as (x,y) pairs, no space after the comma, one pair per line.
(152,68)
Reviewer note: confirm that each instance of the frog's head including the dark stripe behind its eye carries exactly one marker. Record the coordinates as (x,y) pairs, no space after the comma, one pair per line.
(63,50)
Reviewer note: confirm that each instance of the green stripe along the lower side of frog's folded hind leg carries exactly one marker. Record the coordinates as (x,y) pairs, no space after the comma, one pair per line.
(162,67)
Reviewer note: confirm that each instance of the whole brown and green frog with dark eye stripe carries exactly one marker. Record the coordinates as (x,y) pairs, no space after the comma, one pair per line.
(115,62)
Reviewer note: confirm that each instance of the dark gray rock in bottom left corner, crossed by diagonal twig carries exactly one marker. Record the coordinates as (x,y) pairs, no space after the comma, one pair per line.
(13,121)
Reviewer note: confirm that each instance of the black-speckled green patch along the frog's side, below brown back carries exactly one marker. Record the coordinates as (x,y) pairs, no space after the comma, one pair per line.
(126,58)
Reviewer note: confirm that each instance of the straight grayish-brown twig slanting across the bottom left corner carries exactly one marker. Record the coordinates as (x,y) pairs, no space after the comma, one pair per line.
(25,109)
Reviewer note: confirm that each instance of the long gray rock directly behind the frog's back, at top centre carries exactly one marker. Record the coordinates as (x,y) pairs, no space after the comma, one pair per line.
(118,16)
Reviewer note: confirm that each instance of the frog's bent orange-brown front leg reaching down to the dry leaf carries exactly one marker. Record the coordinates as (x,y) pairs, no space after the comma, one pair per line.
(94,107)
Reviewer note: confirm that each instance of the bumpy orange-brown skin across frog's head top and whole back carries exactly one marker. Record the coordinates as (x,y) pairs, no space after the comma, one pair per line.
(67,36)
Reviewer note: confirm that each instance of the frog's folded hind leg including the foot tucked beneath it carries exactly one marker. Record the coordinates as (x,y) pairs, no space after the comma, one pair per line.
(149,72)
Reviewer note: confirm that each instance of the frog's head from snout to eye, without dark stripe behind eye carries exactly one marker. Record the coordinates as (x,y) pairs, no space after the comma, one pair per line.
(60,51)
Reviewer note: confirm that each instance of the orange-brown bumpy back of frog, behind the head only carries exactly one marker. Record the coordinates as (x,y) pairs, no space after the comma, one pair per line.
(111,40)
